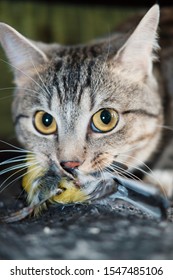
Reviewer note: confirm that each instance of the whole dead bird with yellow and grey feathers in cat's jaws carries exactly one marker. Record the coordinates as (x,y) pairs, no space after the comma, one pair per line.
(49,187)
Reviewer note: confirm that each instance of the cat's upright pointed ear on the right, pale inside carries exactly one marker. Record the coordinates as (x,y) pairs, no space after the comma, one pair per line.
(137,54)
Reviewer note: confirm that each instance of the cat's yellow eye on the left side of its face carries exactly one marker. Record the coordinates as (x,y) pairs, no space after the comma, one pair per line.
(45,123)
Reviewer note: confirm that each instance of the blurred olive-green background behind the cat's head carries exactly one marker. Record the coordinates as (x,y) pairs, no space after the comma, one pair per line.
(66,22)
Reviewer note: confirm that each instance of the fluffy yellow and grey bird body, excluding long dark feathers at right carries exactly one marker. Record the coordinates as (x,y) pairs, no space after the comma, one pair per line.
(66,186)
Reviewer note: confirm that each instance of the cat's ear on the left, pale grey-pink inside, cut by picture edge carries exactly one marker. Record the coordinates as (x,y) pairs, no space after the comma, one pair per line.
(23,55)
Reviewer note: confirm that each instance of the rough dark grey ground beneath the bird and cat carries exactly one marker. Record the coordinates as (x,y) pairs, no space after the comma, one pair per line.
(84,232)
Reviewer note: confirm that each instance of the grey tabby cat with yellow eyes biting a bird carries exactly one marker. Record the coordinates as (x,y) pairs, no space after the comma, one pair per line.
(82,110)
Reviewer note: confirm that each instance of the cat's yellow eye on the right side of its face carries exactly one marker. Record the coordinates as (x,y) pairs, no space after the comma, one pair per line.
(104,120)
